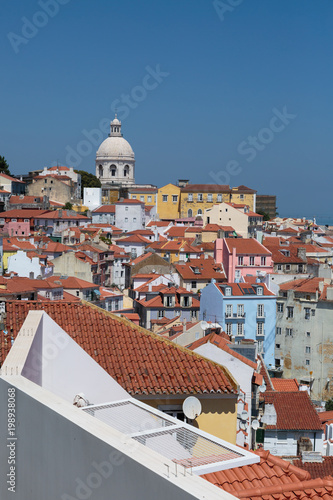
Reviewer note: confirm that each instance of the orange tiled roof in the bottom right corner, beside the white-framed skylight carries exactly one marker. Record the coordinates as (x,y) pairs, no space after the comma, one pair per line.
(271,479)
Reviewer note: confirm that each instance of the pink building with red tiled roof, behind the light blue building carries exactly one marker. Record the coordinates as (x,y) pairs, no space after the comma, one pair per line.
(241,257)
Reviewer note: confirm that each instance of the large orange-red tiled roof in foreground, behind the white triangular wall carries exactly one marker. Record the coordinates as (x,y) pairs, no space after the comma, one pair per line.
(140,361)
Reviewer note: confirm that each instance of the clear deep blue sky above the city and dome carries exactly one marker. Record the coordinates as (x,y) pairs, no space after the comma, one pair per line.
(226,69)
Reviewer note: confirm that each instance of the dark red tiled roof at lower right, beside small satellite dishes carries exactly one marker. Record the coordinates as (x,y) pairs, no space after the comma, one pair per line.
(294,411)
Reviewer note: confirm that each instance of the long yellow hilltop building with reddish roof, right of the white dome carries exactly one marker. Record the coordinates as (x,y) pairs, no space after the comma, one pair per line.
(196,198)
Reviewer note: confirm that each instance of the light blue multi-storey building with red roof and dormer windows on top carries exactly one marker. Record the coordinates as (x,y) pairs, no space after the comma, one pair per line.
(244,311)
